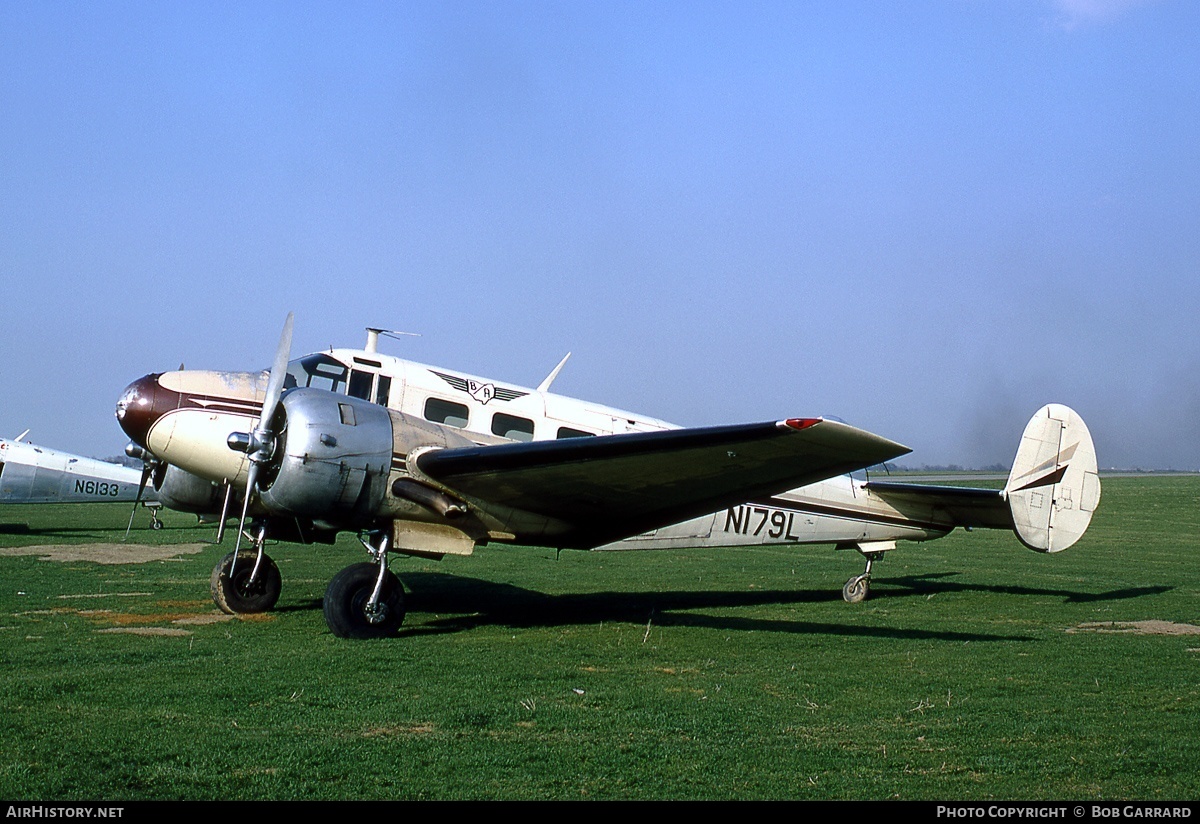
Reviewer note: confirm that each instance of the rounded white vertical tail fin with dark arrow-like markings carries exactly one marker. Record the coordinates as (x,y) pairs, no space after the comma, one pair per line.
(1054,486)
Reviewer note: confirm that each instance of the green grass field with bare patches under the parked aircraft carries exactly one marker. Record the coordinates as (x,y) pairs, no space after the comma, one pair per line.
(977,670)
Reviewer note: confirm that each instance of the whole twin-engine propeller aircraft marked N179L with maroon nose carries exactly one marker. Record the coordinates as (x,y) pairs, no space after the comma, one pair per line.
(431,462)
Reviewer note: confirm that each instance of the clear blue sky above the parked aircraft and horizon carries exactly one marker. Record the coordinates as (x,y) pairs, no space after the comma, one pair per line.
(927,219)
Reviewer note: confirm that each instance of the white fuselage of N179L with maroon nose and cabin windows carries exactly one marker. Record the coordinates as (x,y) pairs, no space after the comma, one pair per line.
(185,419)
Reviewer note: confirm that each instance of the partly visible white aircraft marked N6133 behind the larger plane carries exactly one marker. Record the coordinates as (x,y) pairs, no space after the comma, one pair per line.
(32,474)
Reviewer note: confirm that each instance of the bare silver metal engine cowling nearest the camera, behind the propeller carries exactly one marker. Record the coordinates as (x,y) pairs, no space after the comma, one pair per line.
(333,459)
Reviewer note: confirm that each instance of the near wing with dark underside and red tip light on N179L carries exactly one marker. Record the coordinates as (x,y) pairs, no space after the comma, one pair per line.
(599,490)
